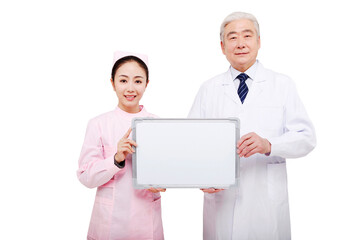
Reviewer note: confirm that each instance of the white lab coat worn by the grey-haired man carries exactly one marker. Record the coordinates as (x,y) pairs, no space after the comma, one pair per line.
(257,208)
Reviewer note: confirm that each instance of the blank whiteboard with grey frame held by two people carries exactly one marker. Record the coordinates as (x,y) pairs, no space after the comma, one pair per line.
(186,152)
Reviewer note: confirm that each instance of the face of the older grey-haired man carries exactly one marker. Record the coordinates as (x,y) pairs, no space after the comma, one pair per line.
(241,44)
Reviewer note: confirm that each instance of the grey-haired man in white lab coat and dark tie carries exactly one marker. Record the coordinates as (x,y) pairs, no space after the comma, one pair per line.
(274,126)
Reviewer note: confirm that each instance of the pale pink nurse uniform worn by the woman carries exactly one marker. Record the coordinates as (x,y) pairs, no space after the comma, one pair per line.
(120,211)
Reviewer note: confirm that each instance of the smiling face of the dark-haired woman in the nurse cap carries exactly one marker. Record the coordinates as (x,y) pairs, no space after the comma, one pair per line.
(129,85)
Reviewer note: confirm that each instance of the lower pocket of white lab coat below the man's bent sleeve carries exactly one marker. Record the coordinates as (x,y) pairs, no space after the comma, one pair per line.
(277,182)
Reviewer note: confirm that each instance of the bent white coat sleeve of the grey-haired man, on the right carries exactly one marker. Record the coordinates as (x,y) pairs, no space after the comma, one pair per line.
(298,138)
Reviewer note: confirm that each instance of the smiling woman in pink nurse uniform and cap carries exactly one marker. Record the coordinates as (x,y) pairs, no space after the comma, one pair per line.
(120,211)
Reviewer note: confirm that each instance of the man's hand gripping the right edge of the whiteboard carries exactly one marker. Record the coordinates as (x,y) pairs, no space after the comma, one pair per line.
(252,143)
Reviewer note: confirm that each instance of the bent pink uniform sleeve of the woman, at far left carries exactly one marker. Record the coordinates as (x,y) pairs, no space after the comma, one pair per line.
(94,169)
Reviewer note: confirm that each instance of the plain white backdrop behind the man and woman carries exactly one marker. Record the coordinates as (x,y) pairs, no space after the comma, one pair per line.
(55,64)
